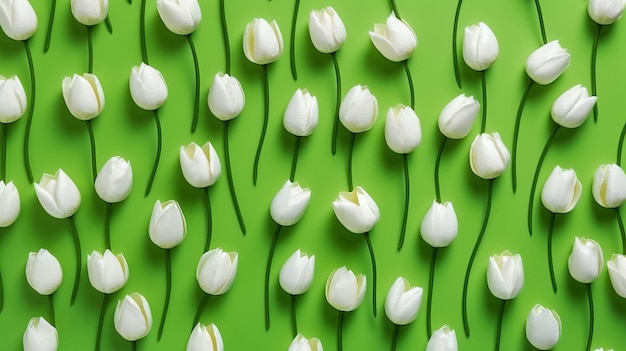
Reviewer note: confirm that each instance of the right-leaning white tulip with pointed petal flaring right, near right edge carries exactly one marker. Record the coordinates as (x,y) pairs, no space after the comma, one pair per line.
(571,109)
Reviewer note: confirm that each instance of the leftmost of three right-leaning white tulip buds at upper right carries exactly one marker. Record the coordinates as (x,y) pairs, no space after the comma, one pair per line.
(457,117)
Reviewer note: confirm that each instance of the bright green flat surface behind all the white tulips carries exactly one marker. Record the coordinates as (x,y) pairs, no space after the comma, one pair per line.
(61,141)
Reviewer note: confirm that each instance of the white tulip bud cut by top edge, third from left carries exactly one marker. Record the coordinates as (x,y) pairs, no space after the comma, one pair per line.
(181,17)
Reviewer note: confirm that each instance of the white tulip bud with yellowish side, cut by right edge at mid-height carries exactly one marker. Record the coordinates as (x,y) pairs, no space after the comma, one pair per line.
(609,186)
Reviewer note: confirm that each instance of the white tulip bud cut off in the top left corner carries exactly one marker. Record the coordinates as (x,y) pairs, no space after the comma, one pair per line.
(18,19)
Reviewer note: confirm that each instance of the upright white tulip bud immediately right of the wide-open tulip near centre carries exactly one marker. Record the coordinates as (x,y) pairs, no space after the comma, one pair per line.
(439,226)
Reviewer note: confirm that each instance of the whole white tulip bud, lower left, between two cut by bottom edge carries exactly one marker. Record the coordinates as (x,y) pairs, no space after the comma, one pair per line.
(132,318)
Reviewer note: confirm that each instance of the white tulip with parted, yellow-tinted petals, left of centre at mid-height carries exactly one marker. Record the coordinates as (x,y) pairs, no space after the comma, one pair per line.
(200,165)
